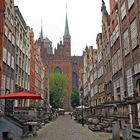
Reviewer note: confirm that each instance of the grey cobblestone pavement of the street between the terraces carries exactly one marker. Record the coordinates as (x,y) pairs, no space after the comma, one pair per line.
(64,128)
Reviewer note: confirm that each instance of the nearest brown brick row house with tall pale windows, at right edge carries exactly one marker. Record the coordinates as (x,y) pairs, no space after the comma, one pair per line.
(129,22)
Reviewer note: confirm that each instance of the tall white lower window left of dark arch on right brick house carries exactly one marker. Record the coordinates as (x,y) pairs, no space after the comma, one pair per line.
(129,82)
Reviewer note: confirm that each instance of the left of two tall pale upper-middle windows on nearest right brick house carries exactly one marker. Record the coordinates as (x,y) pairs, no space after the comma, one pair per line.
(126,42)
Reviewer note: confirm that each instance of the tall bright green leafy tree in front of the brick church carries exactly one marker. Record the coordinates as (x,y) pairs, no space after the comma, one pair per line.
(58,89)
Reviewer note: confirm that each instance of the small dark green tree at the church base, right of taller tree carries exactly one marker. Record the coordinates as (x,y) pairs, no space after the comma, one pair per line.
(75,99)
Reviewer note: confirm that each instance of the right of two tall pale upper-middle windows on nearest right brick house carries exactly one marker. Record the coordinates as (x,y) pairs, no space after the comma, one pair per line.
(134,33)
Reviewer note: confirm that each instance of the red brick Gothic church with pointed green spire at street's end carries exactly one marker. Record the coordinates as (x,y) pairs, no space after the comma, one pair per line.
(61,60)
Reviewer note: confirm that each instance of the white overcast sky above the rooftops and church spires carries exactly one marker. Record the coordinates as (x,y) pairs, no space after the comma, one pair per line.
(84,19)
